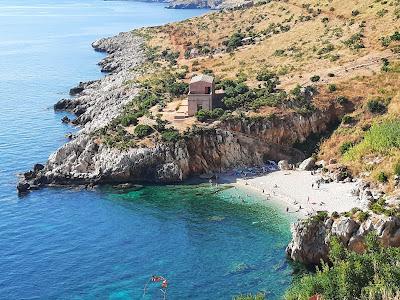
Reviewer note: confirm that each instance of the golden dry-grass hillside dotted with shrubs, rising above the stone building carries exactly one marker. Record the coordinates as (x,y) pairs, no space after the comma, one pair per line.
(348,51)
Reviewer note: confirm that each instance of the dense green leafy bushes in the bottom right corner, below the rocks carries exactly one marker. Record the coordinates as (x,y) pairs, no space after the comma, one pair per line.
(374,274)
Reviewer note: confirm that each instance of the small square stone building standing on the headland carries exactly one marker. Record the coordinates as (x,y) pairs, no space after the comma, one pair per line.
(201,94)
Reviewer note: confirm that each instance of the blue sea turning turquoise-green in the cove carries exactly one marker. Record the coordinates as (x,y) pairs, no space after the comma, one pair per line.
(105,244)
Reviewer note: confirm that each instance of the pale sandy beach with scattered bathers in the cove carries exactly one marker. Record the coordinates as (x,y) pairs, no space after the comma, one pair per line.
(293,188)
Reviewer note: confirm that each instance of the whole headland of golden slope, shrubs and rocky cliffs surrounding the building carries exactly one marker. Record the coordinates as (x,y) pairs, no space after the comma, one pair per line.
(300,77)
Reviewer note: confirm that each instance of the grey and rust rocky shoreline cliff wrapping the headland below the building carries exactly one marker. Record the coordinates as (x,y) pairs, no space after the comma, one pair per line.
(238,142)
